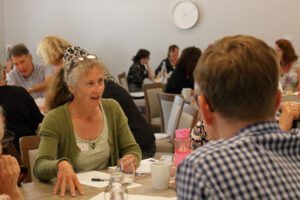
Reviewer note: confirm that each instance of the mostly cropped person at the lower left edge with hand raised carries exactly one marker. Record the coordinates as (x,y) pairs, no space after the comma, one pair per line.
(9,172)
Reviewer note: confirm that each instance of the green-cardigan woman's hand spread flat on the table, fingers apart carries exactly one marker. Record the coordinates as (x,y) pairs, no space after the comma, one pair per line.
(66,178)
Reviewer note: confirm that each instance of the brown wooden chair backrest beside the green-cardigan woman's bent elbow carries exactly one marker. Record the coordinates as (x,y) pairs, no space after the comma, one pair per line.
(28,148)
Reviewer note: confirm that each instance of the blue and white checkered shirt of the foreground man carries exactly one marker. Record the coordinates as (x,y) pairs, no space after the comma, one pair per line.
(260,162)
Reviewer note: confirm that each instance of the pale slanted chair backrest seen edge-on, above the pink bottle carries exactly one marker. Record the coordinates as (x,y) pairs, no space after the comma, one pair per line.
(174,116)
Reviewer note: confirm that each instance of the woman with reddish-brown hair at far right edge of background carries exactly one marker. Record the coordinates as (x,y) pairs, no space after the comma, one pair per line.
(290,73)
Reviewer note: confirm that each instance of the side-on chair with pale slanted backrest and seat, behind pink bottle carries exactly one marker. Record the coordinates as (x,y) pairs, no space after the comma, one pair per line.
(164,141)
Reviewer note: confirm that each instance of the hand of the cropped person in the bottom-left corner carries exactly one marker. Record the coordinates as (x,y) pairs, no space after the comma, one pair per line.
(9,174)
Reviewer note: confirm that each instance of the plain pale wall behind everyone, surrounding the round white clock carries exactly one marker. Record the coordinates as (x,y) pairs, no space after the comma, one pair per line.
(116,29)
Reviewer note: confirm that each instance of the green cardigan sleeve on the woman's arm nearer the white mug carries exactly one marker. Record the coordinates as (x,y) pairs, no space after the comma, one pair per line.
(126,141)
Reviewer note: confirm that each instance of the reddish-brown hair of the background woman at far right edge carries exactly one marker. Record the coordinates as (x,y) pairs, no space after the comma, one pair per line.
(288,52)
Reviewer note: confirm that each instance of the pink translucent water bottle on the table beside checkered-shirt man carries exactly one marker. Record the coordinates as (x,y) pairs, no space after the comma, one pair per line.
(182,145)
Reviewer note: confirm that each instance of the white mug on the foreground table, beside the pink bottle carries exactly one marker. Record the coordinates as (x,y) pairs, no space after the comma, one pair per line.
(160,175)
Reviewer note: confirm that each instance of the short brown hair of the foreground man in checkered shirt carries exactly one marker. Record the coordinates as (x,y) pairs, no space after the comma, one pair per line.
(238,76)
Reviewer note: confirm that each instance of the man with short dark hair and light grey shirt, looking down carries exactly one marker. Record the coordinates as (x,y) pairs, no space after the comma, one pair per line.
(34,78)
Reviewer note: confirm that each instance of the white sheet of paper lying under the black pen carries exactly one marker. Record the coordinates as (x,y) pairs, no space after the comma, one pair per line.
(86,179)
